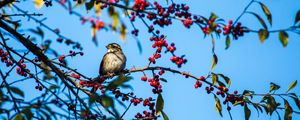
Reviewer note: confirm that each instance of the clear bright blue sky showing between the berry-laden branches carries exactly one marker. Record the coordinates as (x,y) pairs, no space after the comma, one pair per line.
(250,64)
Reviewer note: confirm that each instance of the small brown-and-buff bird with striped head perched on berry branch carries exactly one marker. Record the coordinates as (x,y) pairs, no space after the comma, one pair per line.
(113,62)
